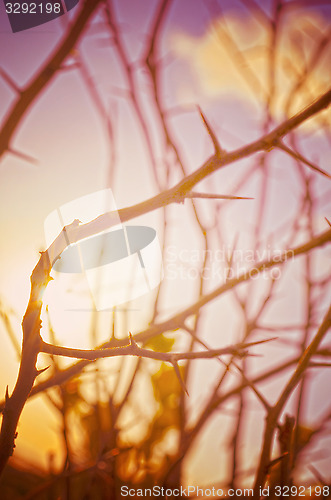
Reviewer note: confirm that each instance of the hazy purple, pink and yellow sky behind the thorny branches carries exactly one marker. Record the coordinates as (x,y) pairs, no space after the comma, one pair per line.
(65,134)
